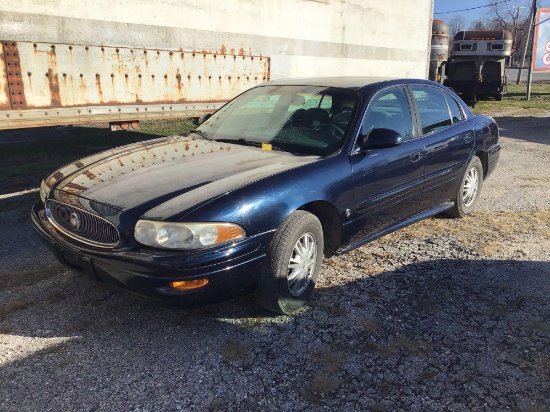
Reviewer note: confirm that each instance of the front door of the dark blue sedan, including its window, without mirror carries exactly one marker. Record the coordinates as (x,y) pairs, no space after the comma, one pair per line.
(386,181)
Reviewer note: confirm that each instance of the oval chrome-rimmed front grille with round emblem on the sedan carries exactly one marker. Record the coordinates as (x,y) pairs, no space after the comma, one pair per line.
(82,225)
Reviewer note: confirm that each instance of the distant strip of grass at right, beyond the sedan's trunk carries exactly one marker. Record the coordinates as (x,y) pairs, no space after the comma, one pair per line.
(515,99)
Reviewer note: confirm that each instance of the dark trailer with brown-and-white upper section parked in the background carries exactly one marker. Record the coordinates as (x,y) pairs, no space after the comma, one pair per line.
(476,66)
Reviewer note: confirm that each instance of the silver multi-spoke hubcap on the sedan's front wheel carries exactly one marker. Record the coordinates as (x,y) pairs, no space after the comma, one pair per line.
(301,264)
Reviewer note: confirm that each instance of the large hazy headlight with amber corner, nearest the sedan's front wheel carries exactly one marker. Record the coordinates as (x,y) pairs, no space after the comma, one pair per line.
(175,235)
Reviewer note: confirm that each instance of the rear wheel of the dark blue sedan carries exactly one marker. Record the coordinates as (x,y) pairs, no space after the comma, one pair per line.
(469,190)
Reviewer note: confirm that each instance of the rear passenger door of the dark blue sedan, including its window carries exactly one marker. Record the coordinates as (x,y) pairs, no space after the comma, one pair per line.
(448,142)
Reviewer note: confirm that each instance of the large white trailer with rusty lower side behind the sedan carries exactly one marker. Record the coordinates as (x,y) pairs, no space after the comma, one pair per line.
(97,60)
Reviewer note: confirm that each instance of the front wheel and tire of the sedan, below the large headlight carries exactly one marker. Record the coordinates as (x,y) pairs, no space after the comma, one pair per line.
(287,281)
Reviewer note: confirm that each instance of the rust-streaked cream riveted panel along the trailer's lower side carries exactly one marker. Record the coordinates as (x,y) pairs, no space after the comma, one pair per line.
(200,86)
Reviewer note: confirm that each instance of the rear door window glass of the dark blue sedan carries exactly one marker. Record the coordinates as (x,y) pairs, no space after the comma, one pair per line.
(432,108)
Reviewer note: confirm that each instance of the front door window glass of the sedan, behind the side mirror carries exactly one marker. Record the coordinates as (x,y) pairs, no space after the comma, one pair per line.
(389,109)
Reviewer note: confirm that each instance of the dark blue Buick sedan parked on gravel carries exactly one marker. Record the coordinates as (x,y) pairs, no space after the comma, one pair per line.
(284,174)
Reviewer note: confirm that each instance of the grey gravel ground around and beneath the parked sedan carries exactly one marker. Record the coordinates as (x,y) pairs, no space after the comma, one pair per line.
(446,315)
